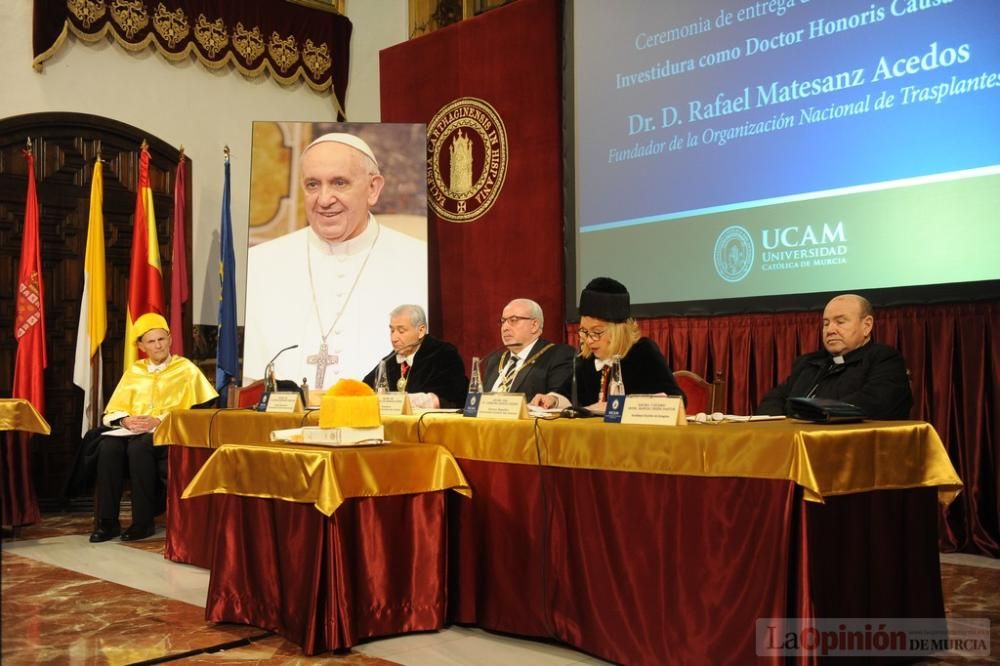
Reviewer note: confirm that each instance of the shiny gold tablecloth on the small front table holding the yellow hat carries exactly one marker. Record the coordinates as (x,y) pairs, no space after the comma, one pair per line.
(326,476)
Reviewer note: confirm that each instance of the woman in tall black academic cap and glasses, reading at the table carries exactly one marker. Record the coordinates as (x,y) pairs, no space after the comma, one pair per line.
(608,330)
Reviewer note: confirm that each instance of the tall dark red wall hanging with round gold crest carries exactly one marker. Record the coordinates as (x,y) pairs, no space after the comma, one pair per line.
(489,90)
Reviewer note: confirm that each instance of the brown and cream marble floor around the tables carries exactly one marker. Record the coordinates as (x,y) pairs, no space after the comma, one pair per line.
(67,601)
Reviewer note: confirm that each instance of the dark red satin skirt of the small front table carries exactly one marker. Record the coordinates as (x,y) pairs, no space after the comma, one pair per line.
(376,567)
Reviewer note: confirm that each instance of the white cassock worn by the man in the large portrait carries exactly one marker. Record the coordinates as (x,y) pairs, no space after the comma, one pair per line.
(281,310)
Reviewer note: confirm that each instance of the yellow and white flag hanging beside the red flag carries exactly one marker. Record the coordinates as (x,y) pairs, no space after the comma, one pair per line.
(93,325)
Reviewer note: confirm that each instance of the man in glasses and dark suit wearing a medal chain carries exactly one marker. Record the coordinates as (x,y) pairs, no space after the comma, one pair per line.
(529,364)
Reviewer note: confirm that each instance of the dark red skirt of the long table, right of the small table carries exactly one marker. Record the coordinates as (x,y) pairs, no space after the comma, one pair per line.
(654,569)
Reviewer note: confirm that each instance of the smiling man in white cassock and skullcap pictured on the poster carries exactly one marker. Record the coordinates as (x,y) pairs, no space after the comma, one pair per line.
(329,287)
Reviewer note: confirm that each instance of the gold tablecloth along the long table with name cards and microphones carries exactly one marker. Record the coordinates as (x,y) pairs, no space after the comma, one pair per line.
(823,459)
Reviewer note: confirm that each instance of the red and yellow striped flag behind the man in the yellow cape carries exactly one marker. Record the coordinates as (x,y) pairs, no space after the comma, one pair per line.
(145,282)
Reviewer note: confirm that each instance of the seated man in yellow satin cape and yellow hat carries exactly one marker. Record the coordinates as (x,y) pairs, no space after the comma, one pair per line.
(148,391)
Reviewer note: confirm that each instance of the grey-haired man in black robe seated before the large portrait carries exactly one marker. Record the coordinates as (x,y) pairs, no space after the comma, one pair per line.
(428,369)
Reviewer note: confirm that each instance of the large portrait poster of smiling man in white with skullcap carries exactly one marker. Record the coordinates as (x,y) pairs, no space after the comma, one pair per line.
(337,238)
